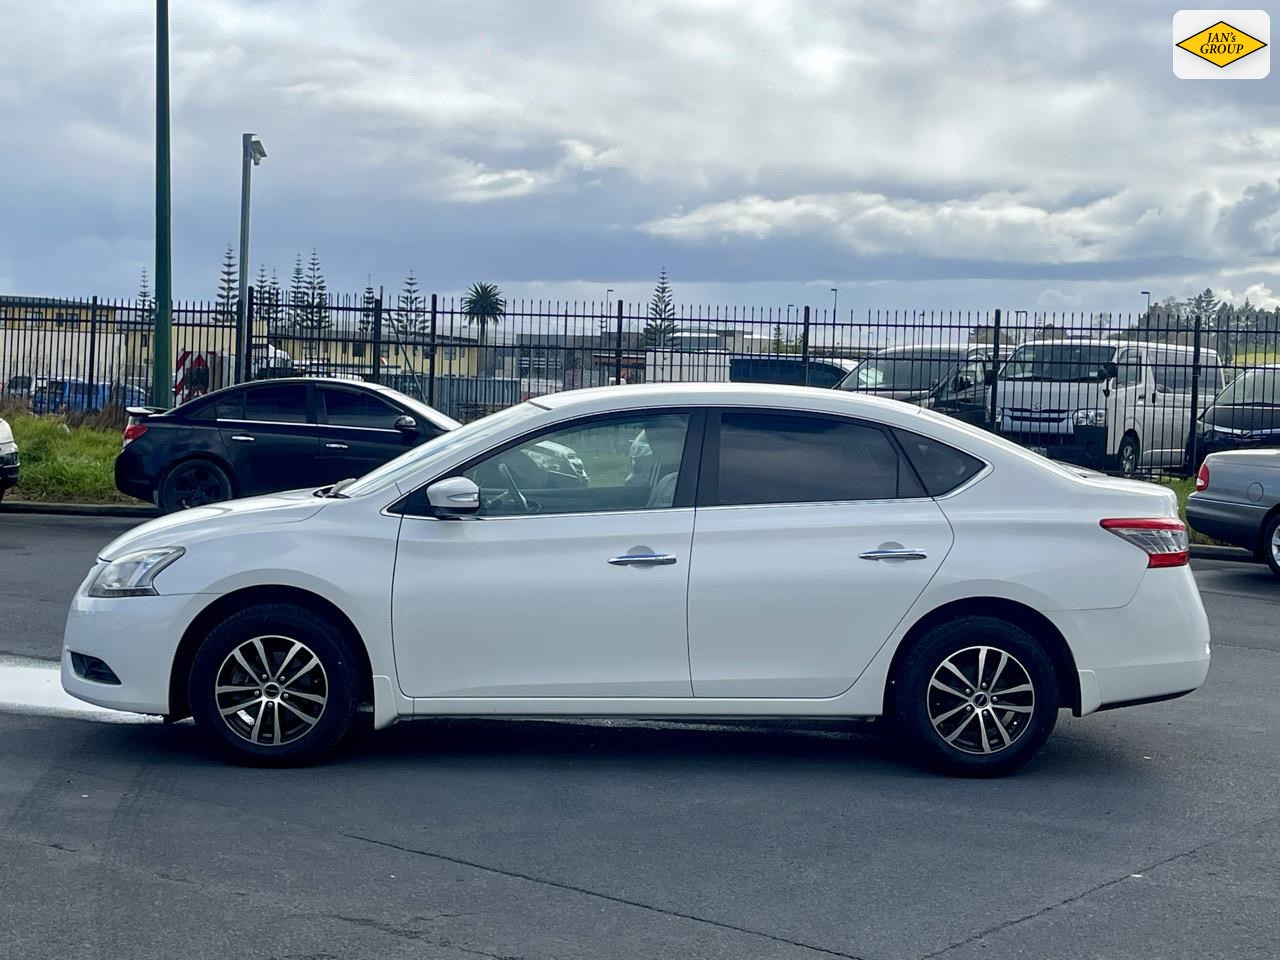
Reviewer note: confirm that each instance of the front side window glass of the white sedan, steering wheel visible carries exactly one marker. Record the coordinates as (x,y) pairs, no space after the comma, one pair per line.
(605,465)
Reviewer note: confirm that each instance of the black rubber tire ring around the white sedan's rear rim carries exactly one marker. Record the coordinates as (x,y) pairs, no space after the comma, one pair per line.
(912,684)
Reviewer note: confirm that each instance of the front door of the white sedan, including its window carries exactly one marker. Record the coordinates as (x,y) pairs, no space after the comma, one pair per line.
(555,588)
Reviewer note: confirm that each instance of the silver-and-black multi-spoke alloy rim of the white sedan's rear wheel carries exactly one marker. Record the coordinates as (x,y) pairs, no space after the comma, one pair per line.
(981,701)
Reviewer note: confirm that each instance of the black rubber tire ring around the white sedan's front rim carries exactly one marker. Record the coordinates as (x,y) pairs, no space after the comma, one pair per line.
(327,641)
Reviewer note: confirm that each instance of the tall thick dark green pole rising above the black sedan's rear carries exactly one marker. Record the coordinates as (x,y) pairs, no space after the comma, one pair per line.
(162,340)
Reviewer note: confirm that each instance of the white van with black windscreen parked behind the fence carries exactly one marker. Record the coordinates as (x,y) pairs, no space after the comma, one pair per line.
(1112,405)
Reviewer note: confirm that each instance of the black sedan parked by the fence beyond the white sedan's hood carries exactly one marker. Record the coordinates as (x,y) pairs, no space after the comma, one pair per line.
(266,437)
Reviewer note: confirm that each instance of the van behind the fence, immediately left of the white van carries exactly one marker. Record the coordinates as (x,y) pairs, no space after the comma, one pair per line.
(948,378)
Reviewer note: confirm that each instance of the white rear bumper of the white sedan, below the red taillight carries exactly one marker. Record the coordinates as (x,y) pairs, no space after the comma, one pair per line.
(1155,648)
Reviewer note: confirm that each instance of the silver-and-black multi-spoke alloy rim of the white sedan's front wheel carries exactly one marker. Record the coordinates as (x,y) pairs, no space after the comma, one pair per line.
(272,691)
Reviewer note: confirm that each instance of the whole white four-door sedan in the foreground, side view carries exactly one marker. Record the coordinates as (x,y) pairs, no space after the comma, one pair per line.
(787,552)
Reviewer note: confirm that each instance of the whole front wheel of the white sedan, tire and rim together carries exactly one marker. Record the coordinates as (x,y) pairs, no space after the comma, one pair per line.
(250,735)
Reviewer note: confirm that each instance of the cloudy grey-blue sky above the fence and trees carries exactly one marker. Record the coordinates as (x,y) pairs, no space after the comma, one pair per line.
(918,154)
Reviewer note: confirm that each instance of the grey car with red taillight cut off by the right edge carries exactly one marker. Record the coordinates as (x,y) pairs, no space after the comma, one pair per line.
(1237,501)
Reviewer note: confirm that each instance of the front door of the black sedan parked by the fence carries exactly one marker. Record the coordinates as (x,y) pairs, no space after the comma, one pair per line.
(359,432)
